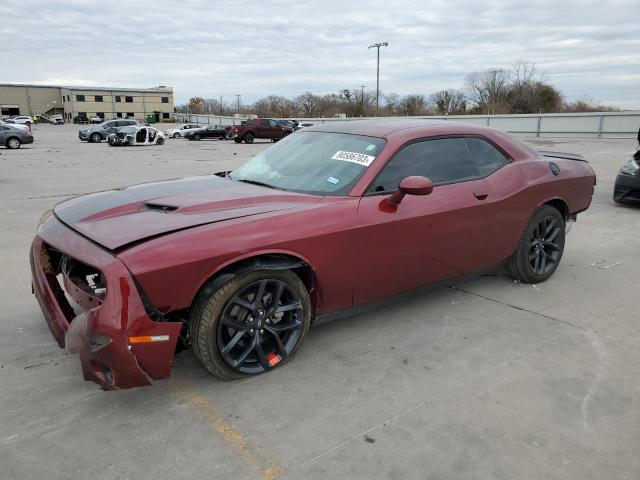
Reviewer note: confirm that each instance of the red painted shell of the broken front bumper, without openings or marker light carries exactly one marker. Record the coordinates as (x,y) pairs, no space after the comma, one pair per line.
(121,315)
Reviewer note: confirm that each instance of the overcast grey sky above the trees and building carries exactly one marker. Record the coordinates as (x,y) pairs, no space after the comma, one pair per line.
(255,48)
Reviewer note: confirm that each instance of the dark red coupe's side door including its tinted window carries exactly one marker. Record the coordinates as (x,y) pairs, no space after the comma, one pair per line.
(425,238)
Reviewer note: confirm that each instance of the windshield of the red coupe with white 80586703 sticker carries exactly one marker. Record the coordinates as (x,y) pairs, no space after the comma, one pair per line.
(313,162)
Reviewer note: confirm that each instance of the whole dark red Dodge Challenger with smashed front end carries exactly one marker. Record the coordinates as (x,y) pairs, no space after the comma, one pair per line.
(238,265)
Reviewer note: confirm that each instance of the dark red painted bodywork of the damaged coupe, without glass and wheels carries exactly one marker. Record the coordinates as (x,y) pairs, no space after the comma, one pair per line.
(173,236)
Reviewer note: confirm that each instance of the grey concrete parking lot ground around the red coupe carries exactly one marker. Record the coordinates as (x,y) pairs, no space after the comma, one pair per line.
(487,378)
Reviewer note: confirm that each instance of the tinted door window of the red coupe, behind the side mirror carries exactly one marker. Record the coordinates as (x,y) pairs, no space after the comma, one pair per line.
(445,160)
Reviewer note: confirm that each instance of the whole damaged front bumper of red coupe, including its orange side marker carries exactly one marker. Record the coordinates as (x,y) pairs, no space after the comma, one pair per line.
(119,345)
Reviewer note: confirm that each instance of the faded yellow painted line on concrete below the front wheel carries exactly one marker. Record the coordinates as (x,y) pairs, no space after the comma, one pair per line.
(265,467)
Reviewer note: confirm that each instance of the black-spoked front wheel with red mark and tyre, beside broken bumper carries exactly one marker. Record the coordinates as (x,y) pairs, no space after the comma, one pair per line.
(252,324)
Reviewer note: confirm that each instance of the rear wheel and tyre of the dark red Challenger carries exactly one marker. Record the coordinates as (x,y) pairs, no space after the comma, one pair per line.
(541,246)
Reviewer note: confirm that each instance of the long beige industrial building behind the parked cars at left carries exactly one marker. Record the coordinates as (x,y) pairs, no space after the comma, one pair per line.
(107,103)
